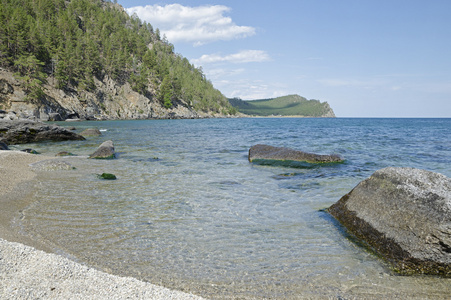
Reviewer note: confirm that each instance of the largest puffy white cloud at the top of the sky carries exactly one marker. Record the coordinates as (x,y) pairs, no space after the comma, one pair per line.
(197,25)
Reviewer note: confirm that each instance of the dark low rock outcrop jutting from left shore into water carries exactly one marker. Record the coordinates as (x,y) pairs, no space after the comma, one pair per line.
(27,131)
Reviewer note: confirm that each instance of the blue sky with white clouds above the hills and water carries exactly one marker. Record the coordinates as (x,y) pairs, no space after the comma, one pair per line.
(385,58)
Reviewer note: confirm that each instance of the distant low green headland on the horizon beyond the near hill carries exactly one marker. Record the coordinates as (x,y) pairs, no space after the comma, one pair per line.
(291,105)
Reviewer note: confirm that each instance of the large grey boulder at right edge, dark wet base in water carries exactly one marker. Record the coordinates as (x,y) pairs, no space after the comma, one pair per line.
(405,215)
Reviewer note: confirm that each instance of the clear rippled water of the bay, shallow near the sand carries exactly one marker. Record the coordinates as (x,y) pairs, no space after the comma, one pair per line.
(188,210)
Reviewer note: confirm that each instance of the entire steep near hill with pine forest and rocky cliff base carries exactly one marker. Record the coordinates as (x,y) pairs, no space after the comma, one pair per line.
(88,58)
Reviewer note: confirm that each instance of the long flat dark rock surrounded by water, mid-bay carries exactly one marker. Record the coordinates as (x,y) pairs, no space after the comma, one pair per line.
(265,152)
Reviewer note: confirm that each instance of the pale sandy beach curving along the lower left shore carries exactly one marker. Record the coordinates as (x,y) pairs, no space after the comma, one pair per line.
(29,273)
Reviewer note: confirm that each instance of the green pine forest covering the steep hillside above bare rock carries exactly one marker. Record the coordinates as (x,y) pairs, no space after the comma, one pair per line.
(72,42)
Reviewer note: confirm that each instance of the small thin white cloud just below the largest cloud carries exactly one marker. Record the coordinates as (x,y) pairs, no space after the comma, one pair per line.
(244,56)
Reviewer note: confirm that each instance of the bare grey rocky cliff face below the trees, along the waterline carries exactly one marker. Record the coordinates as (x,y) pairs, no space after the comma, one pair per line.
(109,101)
